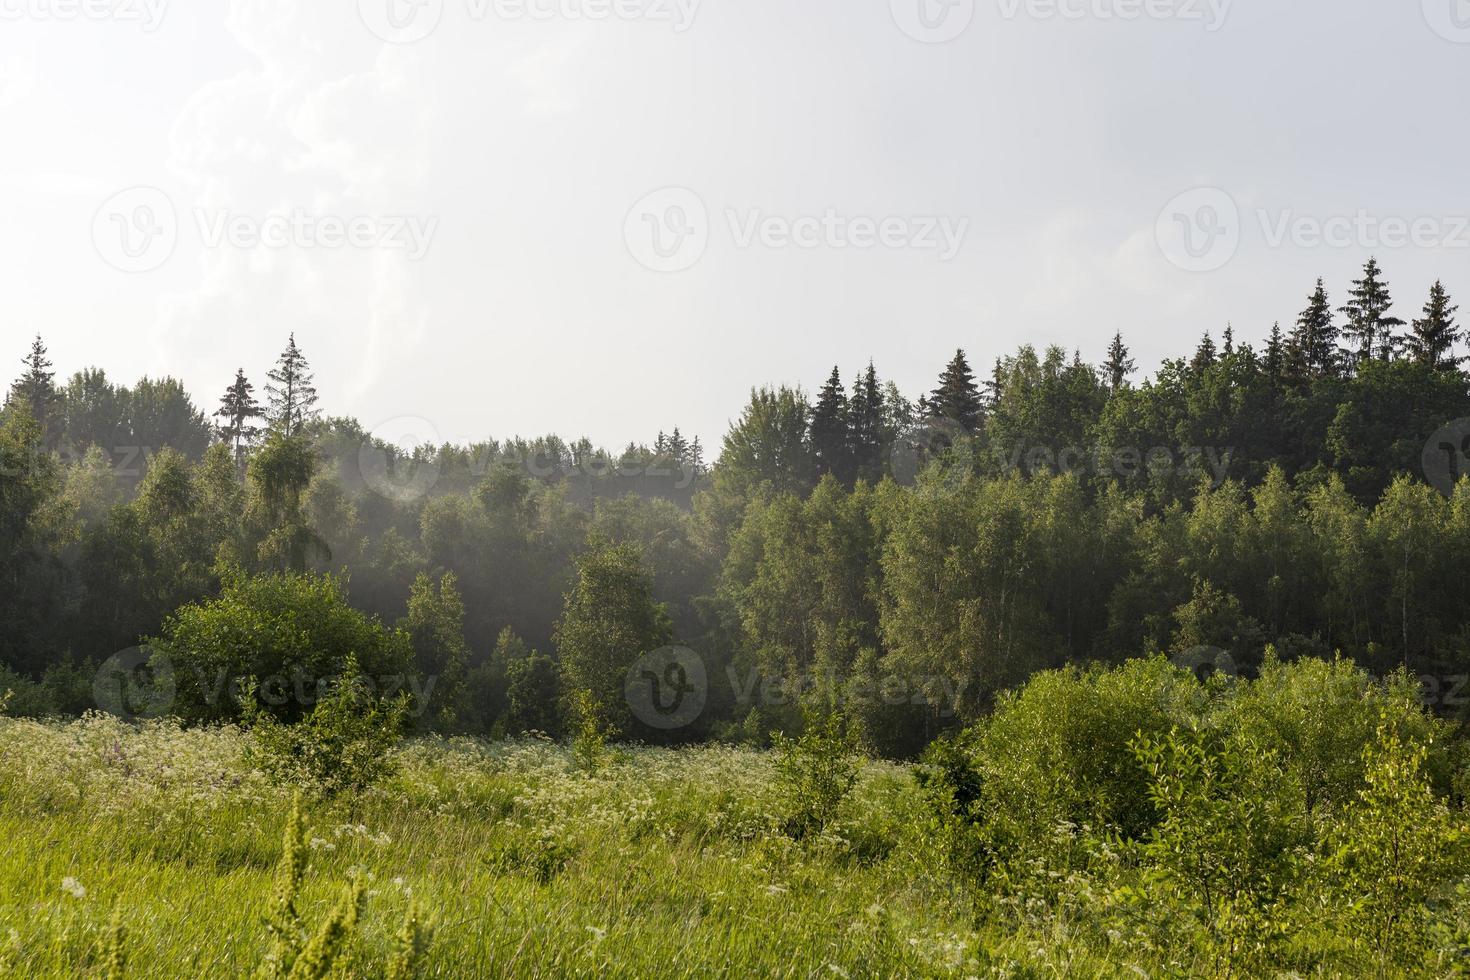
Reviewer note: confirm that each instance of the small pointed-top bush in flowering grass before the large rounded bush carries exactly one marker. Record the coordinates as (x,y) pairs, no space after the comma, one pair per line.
(342,746)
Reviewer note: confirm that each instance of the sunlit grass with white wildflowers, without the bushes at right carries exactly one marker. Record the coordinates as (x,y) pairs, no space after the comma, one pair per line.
(659,865)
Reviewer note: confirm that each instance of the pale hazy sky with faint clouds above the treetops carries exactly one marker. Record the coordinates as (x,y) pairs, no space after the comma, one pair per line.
(609,218)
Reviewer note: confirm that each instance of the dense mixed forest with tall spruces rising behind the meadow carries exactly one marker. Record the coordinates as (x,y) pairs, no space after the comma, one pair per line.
(858,541)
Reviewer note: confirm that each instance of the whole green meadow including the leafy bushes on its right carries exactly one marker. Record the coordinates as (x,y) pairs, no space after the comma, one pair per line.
(1128,822)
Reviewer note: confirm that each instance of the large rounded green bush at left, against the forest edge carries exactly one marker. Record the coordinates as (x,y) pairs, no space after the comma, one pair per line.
(290,633)
